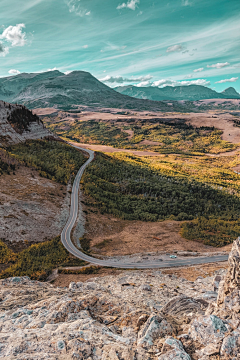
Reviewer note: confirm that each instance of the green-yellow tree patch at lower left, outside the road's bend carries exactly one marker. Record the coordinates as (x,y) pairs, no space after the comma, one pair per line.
(39,260)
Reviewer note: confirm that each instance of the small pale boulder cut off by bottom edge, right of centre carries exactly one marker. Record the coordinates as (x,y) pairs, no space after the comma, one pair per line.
(173,350)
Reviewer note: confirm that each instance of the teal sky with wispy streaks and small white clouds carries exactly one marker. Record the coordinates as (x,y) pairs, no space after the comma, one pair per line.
(124,42)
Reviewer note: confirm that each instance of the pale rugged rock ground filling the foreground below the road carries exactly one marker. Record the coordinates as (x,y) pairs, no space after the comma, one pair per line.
(136,315)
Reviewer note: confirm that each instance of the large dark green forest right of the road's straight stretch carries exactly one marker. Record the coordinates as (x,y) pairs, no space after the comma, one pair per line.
(132,189)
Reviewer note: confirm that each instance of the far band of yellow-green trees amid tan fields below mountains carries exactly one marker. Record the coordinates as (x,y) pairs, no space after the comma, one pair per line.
(173,135)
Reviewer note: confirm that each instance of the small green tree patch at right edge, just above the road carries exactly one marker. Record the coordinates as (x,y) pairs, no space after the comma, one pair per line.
(215,232)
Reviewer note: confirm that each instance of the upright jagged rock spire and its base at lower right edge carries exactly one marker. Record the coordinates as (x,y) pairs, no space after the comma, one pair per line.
(218,331)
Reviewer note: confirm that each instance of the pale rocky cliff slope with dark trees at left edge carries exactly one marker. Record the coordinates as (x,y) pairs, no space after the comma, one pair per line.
(18,124)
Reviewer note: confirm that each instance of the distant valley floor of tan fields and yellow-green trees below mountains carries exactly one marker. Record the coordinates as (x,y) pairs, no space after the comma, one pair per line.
(148,131)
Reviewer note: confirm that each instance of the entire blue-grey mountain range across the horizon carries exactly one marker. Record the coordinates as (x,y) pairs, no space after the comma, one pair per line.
(56,89)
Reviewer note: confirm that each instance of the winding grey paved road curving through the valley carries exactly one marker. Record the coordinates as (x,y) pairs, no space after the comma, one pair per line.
(66,237)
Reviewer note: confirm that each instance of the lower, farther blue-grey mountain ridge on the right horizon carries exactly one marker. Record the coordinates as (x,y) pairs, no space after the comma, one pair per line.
(190,93)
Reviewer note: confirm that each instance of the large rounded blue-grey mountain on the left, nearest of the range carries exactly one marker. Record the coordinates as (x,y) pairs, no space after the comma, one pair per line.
(55,89)
